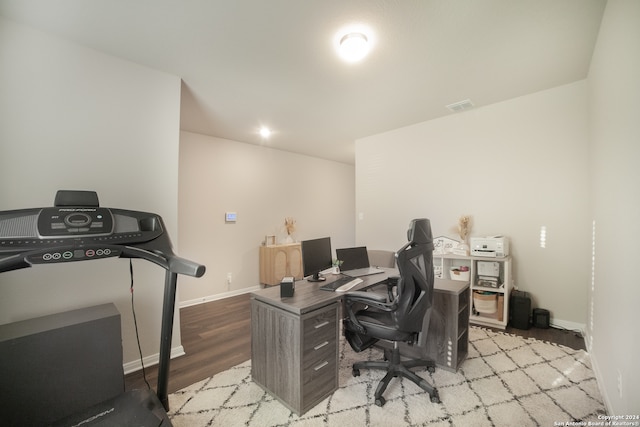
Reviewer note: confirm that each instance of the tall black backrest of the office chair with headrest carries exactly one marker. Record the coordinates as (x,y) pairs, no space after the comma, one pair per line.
(415,286)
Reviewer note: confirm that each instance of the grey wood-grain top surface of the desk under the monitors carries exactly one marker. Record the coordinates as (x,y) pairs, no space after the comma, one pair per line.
(308,296)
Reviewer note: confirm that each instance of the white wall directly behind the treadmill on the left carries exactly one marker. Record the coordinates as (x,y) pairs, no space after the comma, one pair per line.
(74,118)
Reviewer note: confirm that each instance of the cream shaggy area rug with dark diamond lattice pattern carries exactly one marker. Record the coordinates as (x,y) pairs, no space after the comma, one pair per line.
(506,380)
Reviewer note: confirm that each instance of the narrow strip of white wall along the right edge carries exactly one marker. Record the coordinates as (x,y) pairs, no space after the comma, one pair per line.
(614,86)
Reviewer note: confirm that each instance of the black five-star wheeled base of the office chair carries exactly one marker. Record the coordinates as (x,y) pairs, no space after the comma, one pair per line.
(395,367)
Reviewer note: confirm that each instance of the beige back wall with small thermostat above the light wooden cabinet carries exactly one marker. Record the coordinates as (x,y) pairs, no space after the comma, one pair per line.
(263,186)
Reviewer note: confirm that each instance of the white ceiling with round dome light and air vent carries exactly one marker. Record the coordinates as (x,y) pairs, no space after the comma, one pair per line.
(249,63)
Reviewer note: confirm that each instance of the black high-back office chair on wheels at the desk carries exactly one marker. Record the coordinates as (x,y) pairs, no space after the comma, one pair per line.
(398,315)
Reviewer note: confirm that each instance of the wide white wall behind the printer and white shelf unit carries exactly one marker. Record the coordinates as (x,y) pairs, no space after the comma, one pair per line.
(514,167)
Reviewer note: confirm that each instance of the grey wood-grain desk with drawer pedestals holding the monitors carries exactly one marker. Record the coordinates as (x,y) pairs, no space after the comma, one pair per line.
(294,341)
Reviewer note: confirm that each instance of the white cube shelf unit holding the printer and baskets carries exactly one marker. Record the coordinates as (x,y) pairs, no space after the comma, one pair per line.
(443,263)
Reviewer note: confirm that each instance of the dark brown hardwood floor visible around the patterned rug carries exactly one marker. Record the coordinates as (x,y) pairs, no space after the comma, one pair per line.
(217,335)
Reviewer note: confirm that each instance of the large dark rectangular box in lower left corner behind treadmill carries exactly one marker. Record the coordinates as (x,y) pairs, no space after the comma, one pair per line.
(56,365)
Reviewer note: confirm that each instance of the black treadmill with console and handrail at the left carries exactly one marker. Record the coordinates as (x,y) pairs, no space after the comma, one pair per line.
(76,228)
